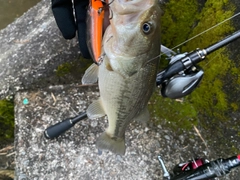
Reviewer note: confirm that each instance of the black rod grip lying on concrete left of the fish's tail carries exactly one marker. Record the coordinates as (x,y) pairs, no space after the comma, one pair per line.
(61,127)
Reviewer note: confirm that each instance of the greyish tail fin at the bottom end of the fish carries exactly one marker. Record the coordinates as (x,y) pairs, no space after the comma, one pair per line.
(114,145)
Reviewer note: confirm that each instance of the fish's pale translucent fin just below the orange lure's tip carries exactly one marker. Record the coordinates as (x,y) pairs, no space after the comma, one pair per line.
(91,75)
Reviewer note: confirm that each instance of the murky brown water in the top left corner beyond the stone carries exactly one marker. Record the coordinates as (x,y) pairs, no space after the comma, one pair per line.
(12,9)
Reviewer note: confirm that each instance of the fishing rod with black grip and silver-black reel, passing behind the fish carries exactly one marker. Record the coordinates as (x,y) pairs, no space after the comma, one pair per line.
(179,79)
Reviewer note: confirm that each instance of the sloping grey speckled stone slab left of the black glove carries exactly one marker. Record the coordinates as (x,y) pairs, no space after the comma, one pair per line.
(31,49)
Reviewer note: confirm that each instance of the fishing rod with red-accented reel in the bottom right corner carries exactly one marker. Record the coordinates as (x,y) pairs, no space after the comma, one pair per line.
(200,169)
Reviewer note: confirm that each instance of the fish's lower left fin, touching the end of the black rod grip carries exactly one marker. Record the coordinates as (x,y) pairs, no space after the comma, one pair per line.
(95,110)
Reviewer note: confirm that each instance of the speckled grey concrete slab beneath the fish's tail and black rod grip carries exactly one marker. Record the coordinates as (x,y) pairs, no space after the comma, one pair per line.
(74,155)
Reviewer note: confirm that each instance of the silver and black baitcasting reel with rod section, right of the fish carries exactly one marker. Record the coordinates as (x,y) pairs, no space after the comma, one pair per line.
(183,75)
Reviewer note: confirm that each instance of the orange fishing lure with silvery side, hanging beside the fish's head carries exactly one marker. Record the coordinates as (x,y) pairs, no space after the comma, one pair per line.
(95,23)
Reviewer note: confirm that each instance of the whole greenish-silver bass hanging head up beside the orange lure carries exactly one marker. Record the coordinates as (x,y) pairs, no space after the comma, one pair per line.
(127,75)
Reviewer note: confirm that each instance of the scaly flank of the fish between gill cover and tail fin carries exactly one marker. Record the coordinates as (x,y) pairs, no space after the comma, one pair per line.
(124,105)
